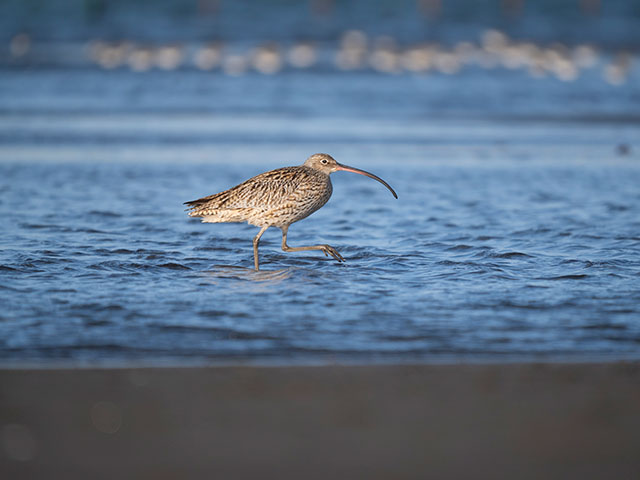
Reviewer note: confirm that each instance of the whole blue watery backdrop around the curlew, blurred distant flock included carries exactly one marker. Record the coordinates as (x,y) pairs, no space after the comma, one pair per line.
(509,128)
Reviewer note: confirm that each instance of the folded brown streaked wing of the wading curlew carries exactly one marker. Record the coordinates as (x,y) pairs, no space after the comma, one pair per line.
(264,191)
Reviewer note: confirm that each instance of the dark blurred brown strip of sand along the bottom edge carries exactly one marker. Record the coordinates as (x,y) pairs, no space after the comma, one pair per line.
(388,422)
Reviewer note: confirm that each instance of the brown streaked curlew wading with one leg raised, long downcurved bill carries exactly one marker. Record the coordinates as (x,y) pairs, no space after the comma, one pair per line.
(277,199)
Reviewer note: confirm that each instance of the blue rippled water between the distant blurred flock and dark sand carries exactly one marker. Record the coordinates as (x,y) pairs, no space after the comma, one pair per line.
(516,234)
